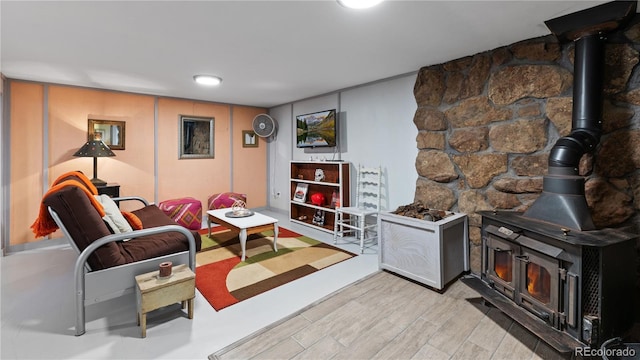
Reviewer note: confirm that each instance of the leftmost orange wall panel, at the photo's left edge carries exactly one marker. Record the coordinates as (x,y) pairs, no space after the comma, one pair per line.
(26,162)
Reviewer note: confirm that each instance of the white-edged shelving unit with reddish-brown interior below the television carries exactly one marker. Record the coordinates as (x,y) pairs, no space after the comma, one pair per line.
(337,176)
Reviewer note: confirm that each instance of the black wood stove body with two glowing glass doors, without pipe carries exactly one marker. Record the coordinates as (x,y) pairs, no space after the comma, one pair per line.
(574,287)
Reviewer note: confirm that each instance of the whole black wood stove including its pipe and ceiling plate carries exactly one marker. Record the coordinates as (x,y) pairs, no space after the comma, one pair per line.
(550,269)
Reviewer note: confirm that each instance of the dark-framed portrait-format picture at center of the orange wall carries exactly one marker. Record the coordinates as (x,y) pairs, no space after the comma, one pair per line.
(196,137)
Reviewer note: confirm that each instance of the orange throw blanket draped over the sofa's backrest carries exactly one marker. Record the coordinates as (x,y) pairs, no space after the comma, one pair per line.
(44,224)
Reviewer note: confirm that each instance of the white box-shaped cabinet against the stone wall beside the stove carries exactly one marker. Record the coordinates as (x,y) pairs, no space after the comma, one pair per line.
(430,252)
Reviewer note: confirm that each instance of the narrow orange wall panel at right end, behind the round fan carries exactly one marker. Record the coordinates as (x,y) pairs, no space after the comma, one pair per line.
(249,164)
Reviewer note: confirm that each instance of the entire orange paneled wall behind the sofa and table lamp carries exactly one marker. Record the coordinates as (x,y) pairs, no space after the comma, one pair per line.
(69,109)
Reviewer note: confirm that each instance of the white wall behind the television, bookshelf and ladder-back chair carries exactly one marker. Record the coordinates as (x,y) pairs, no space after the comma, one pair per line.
(375,127)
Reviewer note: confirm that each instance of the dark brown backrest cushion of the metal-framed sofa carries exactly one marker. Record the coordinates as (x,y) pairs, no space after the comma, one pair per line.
(85,225)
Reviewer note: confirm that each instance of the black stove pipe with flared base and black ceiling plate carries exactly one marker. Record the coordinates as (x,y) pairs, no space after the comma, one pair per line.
(563,199)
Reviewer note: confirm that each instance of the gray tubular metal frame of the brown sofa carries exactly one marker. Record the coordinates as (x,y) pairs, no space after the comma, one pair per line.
(96,286)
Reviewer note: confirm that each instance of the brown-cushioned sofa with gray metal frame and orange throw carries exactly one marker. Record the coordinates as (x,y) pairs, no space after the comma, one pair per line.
(109,259)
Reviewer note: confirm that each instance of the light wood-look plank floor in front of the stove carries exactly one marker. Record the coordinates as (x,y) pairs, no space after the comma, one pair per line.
(388,317)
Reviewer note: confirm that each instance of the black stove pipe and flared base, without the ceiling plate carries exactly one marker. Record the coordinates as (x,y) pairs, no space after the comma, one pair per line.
(563,199)
